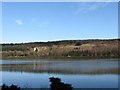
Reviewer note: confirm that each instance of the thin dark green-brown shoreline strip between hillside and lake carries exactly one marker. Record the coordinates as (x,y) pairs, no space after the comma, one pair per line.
(57,58)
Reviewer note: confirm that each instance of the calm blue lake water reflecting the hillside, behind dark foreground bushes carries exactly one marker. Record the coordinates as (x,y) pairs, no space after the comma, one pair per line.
(80,73)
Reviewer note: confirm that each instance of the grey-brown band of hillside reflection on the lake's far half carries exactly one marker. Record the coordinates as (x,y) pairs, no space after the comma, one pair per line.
(68,67)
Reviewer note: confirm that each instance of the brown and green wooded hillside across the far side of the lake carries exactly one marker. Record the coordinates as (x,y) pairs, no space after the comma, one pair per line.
(63,49)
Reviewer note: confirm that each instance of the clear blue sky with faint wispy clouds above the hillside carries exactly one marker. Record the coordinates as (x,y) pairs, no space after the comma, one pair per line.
(52,21)
